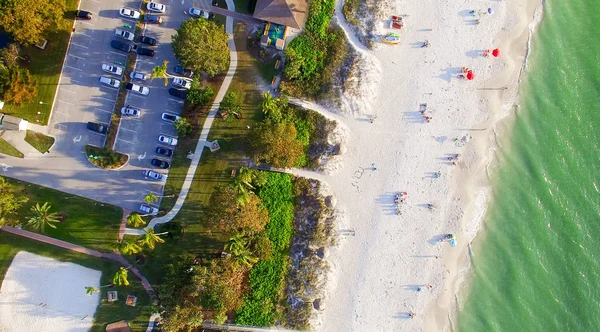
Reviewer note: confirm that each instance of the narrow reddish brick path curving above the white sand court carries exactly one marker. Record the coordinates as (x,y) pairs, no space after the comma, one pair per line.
(83,250)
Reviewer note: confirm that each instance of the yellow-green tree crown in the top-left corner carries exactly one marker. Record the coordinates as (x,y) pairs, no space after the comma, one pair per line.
(27,20)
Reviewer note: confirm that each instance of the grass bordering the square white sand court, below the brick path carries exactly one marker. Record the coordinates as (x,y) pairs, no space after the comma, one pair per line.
(106,312)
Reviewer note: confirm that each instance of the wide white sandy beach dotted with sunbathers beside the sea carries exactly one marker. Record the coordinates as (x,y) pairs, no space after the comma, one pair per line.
(375,274)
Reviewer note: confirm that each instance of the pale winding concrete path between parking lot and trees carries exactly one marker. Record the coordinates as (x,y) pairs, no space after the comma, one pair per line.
(203,140)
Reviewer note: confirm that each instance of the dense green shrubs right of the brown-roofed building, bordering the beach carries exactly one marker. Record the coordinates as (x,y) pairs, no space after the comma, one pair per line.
(315,55)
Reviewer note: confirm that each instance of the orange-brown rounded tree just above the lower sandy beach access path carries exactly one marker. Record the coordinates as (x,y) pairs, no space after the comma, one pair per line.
(276,144)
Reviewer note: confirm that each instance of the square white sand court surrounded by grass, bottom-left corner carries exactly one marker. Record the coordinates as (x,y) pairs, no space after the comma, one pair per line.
(42,294)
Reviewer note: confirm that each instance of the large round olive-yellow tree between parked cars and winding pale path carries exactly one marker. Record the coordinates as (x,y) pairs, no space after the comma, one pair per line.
(202,46)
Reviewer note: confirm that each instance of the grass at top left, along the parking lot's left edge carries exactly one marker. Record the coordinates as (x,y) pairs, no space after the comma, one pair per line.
(45,67)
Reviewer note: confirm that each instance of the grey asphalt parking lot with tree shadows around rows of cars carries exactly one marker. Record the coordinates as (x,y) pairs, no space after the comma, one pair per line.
(81,98)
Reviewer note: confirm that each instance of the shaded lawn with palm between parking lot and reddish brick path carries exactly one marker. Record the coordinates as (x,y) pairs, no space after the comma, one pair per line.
(88,223)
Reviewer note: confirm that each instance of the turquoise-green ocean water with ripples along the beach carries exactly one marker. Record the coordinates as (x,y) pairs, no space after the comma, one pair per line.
(536,265)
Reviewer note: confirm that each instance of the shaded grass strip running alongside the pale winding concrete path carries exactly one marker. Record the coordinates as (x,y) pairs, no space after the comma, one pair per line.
(214,169)
